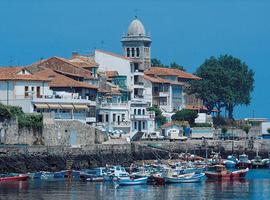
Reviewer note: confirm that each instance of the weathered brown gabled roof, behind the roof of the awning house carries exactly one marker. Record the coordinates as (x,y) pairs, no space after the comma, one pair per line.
(64,66)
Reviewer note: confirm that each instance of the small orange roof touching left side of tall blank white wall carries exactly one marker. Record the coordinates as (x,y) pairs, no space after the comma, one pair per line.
(84,61)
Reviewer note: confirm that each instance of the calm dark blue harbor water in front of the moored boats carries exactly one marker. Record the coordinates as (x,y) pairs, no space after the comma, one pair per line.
(256,185)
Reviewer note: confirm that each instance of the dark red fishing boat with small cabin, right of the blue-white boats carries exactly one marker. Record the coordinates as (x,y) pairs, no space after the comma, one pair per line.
(220,172)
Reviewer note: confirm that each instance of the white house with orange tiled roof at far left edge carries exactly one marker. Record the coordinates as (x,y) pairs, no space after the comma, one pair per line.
(18,87)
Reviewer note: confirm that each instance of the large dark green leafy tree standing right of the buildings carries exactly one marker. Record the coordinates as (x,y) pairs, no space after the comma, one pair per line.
(226,82)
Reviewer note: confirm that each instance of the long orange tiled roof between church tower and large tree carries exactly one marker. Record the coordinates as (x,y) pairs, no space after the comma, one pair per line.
(162,71)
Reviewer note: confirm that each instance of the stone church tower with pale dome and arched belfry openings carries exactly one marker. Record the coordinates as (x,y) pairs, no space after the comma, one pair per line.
(136,44)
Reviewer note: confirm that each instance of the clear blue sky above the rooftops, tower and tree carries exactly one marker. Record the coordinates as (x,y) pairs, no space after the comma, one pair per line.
(184,31)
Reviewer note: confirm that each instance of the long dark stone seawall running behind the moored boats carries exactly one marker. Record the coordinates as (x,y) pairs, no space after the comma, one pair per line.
(36,158)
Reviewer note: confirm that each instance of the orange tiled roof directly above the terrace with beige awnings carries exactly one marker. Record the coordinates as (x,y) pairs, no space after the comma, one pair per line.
(59,80)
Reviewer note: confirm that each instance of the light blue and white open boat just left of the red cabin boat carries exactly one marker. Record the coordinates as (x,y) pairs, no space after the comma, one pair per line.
(184,178)
